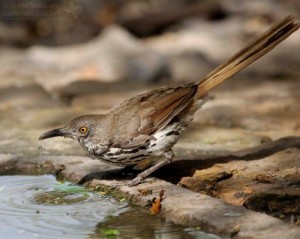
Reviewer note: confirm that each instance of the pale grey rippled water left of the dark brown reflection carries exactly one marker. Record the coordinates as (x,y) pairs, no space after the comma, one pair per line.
(20,212)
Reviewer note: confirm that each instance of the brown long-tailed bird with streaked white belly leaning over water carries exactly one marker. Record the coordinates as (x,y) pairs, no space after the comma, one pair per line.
(151,123)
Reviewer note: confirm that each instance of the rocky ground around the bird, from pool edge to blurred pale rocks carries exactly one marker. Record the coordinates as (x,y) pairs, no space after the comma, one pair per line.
(238,161)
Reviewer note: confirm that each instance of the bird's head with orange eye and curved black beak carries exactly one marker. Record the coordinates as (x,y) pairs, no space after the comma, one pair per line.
(79,128)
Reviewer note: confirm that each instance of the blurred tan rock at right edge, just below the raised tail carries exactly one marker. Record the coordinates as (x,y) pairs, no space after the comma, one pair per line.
(261,106)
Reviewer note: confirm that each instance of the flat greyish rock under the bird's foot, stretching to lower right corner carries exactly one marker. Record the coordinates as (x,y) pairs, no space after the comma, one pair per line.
(226,220)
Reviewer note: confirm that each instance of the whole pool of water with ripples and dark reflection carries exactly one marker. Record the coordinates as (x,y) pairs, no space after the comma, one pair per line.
(40,207)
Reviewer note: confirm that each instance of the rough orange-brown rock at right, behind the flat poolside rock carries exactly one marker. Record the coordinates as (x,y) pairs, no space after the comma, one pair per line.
(243,180)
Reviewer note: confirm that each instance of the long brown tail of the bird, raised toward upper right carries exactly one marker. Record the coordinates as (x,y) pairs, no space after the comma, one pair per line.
(249,54)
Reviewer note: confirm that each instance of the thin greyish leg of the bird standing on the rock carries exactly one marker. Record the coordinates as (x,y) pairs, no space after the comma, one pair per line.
(169,155)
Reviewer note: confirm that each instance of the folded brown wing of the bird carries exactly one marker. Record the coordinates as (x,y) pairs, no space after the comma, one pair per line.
(137,118)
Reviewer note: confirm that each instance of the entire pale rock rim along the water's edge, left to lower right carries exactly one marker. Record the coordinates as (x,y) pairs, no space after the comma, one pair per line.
(193,209)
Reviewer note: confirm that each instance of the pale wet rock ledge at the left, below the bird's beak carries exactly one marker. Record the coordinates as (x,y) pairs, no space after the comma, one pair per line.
(73,168)
